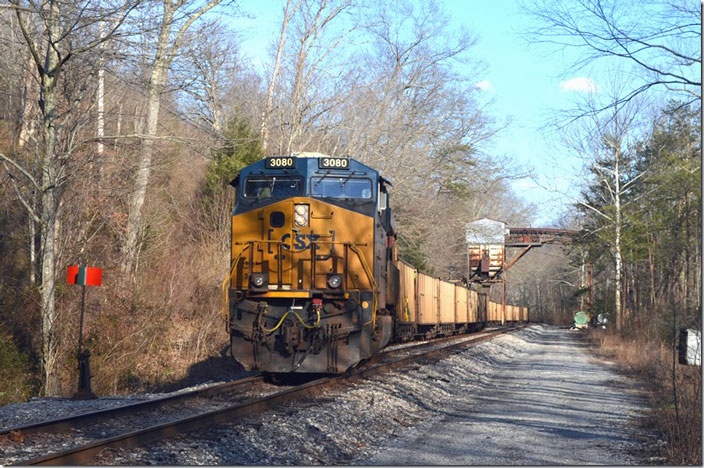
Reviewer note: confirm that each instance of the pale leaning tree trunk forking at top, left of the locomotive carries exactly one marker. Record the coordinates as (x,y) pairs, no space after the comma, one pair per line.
(176,18)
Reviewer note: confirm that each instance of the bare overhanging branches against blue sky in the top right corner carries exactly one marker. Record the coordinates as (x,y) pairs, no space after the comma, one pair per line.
(658,39)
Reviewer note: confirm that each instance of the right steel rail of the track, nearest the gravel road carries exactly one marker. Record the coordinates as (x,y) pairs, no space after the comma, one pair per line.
(430,351)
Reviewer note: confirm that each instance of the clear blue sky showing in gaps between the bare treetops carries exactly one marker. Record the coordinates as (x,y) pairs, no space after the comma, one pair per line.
(525,83)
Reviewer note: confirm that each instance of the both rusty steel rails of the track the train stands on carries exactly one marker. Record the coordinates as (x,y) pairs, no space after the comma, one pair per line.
(384,362)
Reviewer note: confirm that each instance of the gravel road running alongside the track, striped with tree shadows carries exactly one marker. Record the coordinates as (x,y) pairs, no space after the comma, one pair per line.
(554,405)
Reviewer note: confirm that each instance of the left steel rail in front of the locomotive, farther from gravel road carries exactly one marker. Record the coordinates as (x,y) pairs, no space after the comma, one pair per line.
(68,422)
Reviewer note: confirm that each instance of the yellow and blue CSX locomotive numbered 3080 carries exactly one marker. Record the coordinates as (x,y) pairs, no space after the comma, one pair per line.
(312,279)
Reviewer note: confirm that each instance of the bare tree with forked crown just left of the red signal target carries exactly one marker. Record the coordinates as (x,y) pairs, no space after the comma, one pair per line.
(56,34)
